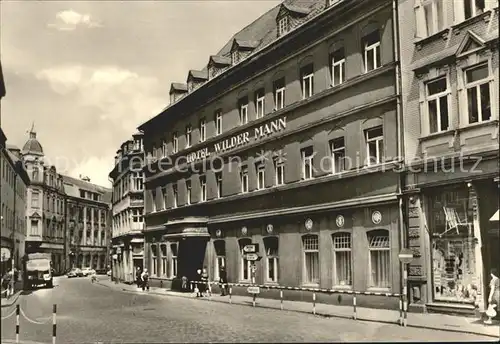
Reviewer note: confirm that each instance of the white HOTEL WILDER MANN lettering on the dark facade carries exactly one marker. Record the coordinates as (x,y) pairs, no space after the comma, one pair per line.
(239,140)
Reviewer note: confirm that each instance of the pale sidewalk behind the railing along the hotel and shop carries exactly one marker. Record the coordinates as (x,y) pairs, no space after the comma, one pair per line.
(429,320)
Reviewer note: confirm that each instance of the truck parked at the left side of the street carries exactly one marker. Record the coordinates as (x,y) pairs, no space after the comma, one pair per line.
(38,270)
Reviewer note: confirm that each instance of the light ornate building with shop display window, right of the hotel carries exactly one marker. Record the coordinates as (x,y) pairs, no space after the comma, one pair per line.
(449,57)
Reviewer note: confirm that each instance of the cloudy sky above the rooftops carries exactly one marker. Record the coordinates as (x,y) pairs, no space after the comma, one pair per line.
(89,73)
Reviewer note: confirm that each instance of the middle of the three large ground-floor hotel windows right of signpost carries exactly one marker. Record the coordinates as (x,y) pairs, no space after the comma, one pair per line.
(342,269)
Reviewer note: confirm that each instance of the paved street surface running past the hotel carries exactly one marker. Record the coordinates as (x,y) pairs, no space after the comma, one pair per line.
(89,312)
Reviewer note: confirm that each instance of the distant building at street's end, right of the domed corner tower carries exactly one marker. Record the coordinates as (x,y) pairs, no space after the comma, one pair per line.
(87,222)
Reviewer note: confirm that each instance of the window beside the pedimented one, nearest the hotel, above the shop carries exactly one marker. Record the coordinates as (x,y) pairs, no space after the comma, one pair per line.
(437,105)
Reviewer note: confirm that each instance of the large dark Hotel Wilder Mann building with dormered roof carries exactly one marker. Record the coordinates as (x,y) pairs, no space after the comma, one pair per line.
(289,138)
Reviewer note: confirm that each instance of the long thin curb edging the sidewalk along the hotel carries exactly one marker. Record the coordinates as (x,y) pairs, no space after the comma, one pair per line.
(310,313)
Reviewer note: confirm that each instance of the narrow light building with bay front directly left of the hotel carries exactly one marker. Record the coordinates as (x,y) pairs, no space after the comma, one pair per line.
(127,210)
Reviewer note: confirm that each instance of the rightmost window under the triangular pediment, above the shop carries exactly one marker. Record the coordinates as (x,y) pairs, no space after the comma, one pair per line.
(478,93)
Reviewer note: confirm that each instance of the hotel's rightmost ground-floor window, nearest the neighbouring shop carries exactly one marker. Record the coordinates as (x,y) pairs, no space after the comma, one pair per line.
(379,261)
